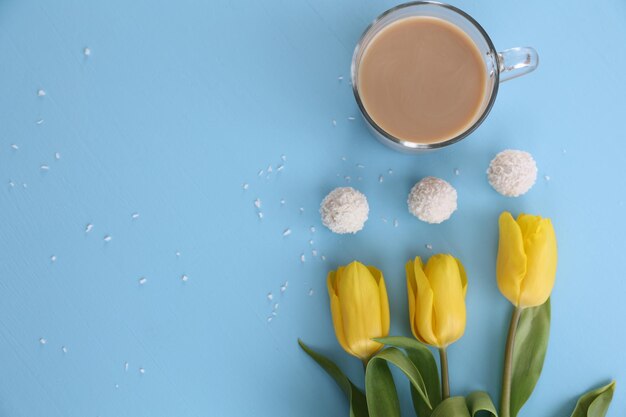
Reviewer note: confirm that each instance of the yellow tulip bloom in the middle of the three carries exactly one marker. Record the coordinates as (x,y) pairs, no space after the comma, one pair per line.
(437,299)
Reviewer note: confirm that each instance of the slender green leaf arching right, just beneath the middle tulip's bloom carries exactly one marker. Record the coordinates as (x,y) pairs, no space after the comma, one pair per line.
(423,359)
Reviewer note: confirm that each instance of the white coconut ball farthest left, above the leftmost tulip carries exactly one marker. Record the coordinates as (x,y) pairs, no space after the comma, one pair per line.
(344,210)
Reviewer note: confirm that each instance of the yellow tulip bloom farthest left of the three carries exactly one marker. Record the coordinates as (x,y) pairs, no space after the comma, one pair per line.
(360,308)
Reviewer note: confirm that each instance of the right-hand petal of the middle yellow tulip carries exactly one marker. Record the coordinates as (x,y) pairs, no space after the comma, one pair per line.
(449,301)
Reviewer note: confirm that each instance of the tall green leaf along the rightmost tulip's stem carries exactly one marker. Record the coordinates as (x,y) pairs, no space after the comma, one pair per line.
(529,351)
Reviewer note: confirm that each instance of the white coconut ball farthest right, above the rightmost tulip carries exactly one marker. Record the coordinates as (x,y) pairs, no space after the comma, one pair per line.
(512,172)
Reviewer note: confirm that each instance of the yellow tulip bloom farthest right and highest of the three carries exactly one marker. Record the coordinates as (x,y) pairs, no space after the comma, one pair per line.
(527,257)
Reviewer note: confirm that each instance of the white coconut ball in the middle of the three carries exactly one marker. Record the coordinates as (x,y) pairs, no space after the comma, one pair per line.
(432,200)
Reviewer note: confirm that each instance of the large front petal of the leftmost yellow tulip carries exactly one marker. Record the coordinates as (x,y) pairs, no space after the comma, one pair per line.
(360,309)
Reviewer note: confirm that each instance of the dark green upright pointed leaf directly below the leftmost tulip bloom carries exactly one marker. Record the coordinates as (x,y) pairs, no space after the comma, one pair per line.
(380,389)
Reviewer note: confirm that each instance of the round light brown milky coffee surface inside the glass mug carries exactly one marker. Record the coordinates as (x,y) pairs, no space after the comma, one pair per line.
(422,79)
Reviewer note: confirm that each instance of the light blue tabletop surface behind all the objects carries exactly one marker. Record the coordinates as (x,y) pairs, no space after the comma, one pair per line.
(178,105)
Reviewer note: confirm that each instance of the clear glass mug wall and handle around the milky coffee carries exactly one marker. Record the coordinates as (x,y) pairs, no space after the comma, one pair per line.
(499,66)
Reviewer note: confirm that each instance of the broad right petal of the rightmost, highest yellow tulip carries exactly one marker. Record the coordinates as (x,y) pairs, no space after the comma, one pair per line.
(541,252)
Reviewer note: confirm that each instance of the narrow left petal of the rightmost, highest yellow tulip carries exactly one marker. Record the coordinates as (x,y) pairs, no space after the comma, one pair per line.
(511,262)
